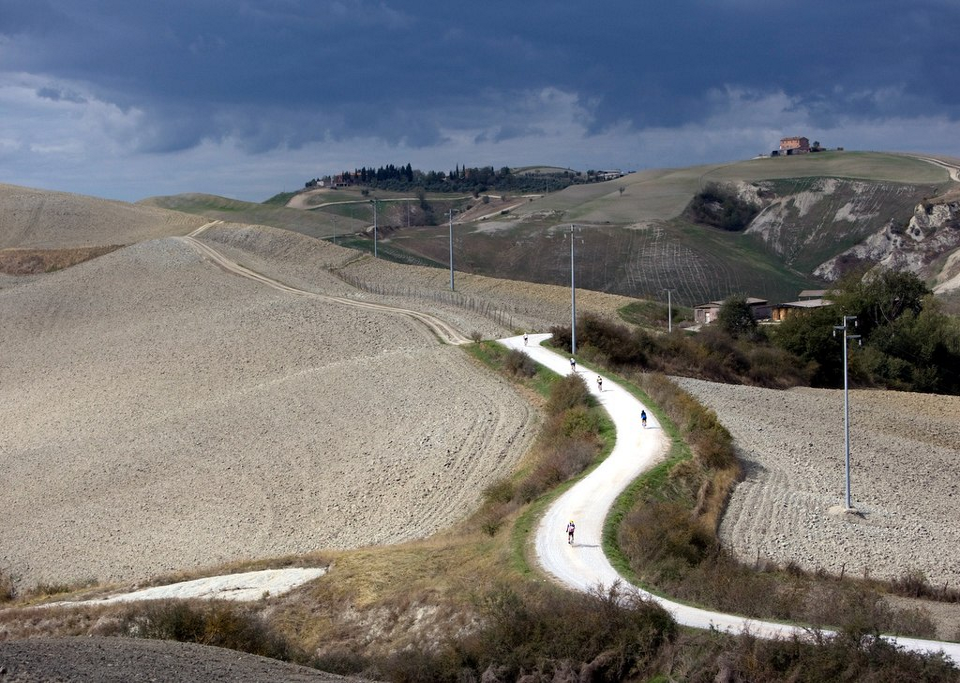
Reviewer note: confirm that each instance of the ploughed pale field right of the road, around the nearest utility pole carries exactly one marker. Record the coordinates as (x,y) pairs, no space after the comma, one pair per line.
(905,479)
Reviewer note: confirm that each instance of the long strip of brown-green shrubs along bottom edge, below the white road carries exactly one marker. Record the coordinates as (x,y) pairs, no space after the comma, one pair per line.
(536,632)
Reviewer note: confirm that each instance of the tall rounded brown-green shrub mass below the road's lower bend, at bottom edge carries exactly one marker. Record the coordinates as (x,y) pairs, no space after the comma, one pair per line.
(537,632)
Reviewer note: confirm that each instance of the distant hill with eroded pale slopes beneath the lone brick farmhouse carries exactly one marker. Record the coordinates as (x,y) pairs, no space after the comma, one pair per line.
(634,237)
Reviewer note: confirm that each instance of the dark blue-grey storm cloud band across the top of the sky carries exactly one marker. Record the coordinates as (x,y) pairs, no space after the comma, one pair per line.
(371,66)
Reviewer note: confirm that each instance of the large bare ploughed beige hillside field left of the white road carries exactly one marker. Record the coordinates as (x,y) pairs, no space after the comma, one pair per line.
(159,413)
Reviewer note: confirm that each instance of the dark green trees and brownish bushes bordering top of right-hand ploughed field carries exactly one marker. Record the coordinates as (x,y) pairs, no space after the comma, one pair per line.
(907,342)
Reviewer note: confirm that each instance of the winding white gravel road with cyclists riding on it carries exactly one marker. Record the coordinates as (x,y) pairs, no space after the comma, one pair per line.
(583,566)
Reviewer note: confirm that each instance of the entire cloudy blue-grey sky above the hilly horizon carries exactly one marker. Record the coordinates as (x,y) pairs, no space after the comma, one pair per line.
(126,99)
